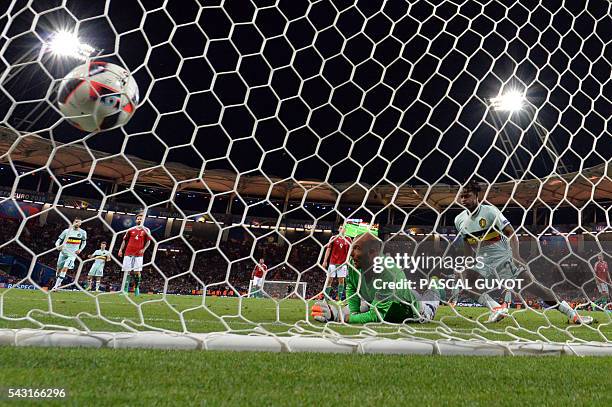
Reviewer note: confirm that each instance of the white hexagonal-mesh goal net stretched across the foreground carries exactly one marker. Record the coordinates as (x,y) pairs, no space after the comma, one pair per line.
(366,151)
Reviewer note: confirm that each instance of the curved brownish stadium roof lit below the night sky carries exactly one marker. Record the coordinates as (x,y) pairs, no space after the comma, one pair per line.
(33,151)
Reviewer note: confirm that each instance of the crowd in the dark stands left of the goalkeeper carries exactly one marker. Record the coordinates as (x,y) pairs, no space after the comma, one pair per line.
(183,268)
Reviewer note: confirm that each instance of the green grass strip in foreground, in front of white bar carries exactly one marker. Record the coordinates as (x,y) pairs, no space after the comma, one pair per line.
(136,377)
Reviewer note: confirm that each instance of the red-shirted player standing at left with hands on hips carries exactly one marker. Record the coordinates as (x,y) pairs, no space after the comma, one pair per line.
(138,239)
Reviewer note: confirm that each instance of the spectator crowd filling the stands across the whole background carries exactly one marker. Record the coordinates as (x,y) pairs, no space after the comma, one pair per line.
(180,269)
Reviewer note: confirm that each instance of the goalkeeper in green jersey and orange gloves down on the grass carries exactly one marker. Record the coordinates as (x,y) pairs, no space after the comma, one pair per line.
(380,303)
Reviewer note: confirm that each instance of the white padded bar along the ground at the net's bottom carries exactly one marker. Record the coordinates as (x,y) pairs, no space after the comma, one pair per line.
(297,343)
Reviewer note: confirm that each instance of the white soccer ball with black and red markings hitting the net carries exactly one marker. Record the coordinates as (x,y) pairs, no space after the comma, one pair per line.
(98,96)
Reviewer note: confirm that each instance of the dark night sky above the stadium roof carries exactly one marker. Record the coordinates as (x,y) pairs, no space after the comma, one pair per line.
(301,87)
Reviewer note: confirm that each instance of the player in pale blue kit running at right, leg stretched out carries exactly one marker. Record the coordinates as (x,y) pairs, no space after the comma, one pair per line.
(488,234)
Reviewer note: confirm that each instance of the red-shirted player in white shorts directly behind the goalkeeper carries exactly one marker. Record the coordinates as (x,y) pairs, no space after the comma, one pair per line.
(334,262)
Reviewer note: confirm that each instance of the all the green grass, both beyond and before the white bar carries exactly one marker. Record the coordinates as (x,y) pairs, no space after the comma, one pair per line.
(155,377)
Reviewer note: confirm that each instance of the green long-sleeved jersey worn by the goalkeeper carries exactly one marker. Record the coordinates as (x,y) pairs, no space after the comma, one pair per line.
(392,305)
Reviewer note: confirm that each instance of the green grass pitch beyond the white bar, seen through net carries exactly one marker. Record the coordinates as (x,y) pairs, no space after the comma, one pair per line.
(116,312)
